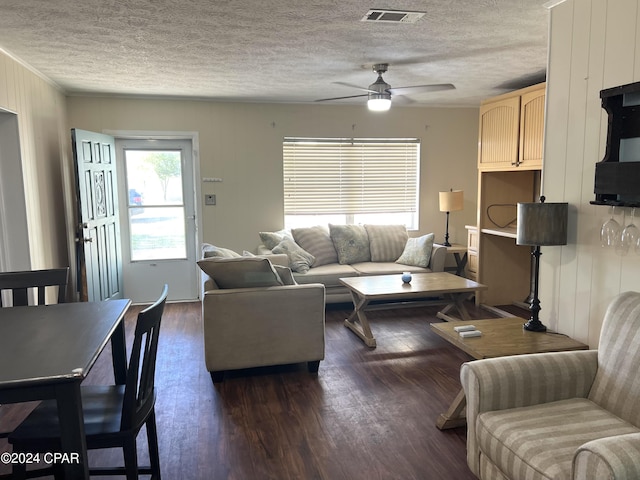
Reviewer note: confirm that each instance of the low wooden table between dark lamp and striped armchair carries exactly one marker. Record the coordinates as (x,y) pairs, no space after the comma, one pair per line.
(500,337)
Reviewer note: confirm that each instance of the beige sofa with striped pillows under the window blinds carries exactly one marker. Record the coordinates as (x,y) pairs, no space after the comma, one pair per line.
(324,254)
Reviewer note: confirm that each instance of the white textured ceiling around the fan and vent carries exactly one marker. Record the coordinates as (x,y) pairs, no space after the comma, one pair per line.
(277,50)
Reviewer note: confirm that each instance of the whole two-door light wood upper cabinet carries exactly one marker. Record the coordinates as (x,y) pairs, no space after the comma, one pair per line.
(511,130)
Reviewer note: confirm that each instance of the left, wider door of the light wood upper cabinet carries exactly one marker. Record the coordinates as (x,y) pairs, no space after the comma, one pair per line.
(498,140)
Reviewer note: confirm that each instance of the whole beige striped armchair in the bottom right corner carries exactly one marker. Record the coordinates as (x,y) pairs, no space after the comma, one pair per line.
(565,415)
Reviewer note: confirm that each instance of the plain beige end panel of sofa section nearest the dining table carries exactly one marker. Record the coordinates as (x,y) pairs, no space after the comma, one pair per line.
(251,327)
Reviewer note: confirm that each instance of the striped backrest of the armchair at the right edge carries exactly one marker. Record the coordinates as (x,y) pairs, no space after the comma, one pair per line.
(616,387)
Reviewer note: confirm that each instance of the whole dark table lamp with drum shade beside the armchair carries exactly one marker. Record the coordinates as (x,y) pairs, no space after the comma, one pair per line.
(540,224)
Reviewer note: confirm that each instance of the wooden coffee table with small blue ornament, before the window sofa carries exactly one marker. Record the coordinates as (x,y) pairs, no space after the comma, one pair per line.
(437,288)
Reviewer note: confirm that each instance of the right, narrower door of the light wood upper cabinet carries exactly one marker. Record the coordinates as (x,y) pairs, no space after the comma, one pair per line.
(532,129)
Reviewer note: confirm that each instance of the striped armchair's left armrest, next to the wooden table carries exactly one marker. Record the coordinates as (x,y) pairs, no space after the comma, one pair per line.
(522,380)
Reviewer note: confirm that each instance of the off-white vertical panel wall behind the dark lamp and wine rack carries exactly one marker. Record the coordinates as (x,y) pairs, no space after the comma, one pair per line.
(593,45)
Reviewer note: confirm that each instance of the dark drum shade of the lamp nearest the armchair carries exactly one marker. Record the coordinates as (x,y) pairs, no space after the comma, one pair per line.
(542,223)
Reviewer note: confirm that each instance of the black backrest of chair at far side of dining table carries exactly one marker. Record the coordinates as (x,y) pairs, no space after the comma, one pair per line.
(20,283)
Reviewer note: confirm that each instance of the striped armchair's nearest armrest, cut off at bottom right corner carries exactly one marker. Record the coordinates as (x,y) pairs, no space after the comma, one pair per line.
(616,457)
